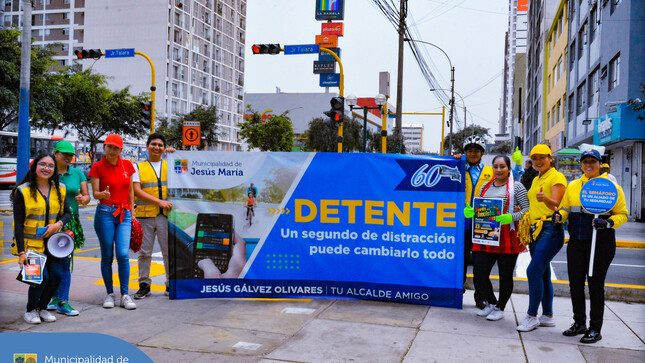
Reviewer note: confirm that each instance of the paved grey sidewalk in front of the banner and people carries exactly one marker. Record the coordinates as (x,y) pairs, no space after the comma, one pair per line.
(238,330)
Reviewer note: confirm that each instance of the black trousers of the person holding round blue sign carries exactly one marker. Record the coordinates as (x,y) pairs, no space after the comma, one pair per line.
(578,252)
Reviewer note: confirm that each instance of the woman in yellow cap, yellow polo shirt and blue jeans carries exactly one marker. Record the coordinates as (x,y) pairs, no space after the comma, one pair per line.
(545,194)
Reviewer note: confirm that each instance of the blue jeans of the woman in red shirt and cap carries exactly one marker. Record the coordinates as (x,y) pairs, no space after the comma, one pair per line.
(113,235)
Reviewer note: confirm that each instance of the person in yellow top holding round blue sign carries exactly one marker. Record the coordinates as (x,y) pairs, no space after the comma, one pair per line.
(581,227)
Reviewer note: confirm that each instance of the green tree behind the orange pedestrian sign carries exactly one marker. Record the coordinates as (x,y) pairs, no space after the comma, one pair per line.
(173,129)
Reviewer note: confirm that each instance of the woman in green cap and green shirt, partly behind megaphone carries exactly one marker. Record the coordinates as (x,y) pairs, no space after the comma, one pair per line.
(77,194)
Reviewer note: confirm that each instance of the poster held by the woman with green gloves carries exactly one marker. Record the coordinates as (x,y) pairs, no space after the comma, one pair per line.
(486,229)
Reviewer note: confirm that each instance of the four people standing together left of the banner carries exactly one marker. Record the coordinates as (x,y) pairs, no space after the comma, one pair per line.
(49,197)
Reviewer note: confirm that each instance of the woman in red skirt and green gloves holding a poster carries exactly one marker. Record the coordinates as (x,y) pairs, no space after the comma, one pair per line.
(507,249)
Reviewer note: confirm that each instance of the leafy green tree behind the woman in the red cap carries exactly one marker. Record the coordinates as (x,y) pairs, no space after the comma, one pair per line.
(87,105)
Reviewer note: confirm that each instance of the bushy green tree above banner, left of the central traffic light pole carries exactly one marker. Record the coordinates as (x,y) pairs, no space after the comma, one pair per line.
(273,133)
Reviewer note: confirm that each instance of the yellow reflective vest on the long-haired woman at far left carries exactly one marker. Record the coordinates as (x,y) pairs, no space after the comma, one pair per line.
(36,214)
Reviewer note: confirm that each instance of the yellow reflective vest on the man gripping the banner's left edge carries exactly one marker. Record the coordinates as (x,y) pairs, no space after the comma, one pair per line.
(154,185)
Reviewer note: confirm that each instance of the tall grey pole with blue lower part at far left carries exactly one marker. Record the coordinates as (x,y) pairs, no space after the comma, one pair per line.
(24,131)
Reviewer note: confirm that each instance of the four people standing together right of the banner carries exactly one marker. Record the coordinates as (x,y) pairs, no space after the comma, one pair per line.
(547,202)
